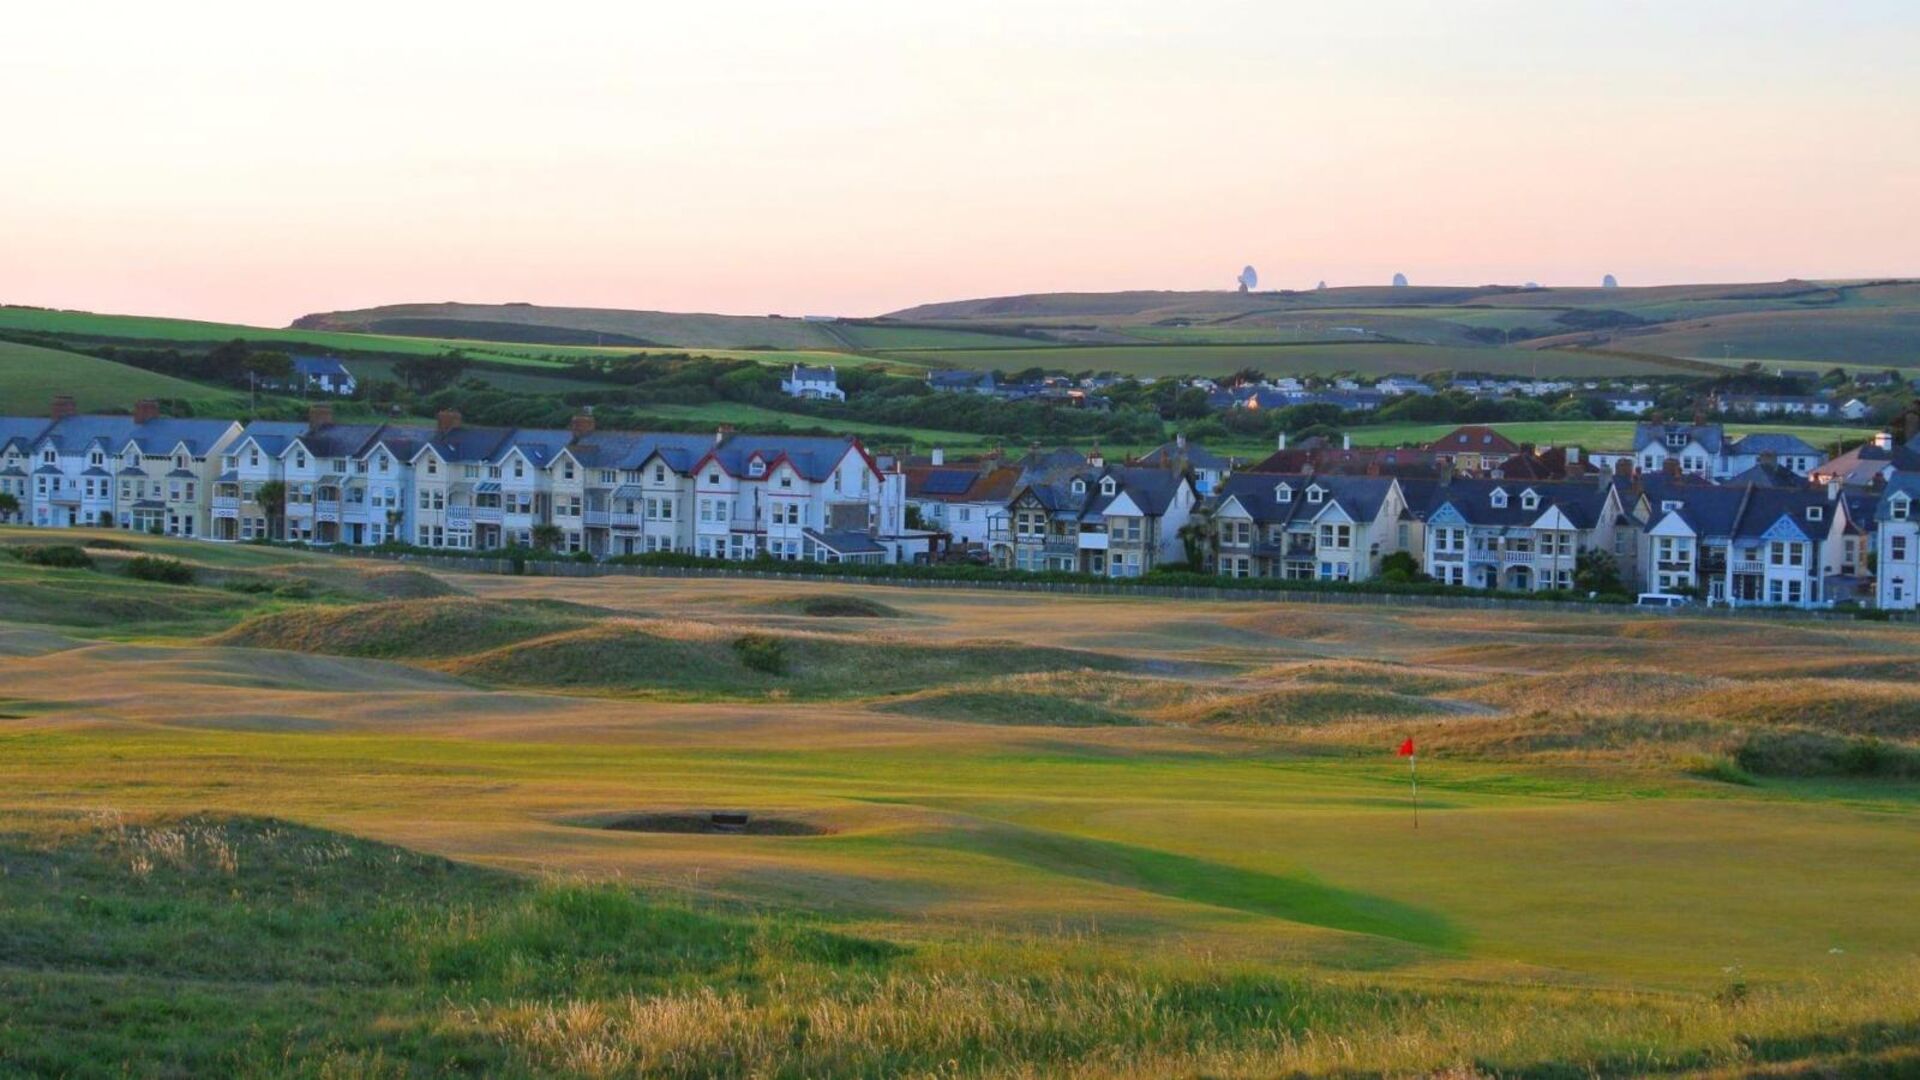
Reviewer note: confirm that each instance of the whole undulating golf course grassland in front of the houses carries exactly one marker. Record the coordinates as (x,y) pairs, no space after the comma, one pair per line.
(1170,800)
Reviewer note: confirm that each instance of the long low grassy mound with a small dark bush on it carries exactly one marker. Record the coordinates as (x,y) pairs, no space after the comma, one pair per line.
(713,660)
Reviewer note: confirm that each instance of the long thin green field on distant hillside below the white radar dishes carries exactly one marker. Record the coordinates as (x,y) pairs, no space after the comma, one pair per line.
(1216,360)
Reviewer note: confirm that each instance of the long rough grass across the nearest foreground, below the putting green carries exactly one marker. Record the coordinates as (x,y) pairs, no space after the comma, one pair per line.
(251,948)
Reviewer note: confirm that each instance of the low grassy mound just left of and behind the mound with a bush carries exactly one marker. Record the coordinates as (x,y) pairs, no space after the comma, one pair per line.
(406,629)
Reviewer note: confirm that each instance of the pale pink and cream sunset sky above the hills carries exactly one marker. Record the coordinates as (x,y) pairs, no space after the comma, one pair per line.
(254,162)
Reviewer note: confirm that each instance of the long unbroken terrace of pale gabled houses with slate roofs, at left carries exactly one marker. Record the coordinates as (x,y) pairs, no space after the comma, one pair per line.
(458,487)
